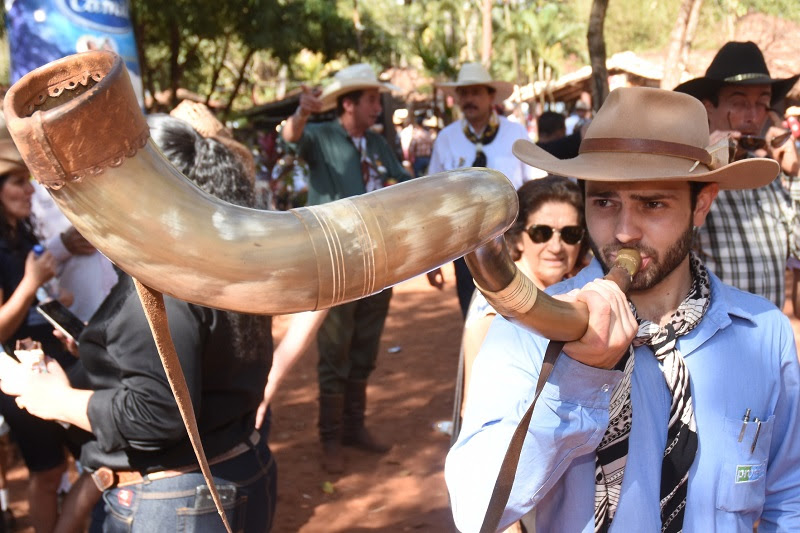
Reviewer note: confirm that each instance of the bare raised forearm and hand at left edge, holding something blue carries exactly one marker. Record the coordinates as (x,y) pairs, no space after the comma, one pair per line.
(14,311)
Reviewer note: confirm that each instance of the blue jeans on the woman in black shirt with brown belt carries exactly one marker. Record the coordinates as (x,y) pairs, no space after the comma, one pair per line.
(247,485)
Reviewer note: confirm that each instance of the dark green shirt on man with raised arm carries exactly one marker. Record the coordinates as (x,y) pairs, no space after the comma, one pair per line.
(335,163)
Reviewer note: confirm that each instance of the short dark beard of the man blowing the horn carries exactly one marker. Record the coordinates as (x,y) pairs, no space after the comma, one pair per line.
(658,268)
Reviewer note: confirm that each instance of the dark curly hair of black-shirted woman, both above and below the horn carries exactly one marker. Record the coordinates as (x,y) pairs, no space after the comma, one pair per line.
(212,166)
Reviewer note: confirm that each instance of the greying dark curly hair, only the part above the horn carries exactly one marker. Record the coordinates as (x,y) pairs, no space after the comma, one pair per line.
(207,162)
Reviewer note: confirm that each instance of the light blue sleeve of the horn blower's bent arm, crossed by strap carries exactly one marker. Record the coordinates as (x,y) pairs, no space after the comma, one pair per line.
(569,422)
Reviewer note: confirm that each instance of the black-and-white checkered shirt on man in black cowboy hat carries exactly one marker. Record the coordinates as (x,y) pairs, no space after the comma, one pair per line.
(748,236)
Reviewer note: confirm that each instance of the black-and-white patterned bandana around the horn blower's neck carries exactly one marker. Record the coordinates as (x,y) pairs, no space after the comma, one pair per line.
(681,431)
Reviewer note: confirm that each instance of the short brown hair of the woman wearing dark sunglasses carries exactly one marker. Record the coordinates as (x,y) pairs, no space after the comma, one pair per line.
(533,195)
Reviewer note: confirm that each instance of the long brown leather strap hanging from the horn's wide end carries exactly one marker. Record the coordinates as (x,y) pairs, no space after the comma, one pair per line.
(156,313)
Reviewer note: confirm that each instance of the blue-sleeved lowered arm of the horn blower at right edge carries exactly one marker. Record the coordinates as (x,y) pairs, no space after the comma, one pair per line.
(781,511)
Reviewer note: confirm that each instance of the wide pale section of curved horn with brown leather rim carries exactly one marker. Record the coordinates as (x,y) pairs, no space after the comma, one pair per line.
(77,118)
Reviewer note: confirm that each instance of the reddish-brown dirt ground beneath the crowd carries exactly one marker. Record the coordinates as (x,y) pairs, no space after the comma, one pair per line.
(409,392)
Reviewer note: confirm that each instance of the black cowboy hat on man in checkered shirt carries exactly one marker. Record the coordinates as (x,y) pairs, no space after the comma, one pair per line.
(741,64)
